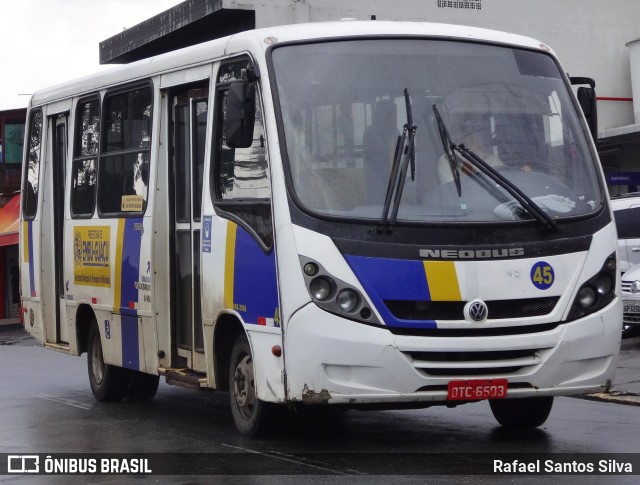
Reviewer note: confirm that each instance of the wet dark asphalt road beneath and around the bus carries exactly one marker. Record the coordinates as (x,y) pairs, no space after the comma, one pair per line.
(46,406)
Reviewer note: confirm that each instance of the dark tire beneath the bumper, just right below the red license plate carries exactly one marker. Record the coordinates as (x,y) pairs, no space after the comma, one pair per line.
(528,412)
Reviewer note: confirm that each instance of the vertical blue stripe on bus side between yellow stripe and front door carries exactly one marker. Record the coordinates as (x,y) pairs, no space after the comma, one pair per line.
(131,242)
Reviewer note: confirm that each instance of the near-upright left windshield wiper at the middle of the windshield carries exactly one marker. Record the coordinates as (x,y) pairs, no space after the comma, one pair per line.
(403,156)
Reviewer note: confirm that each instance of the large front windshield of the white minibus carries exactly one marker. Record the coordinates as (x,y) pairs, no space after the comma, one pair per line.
(344,109)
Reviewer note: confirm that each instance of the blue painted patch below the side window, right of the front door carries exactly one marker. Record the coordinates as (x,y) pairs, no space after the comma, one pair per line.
(255,289)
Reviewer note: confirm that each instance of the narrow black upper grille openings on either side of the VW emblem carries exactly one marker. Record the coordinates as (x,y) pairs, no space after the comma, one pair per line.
(453,310)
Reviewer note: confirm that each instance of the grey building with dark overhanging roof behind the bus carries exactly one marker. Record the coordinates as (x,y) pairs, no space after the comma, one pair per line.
(592,38)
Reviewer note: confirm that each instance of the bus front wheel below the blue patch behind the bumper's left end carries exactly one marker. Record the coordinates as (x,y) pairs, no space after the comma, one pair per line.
(251,416)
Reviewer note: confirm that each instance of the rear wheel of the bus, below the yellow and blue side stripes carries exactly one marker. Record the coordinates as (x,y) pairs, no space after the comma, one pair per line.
(108,383)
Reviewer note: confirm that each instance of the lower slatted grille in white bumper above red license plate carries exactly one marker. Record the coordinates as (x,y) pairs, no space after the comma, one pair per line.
(472,364)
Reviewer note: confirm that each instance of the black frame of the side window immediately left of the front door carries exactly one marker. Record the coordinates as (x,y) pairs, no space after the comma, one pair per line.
(102,154)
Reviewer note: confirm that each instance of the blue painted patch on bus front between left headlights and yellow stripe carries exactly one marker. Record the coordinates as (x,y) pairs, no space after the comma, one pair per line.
(392,279)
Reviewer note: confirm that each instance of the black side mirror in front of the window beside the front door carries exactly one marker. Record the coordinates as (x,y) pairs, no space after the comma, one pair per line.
(240,115)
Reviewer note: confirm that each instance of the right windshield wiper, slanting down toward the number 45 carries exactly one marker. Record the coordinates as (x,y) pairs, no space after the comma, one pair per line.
(525,201)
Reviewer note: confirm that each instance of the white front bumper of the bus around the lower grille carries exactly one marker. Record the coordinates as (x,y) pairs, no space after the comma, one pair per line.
(332,360)
